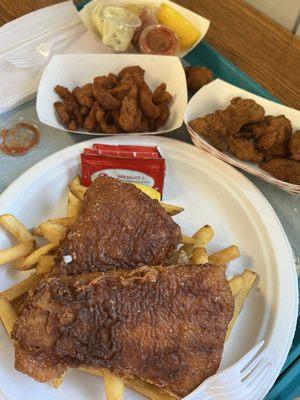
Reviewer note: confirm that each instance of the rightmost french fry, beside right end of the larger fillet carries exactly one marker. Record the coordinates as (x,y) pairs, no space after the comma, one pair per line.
(241,293)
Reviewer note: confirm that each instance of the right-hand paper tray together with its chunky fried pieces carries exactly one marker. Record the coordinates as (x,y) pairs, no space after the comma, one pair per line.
(257,135)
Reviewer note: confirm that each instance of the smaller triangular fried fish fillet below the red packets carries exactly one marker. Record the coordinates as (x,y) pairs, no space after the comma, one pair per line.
(118,226)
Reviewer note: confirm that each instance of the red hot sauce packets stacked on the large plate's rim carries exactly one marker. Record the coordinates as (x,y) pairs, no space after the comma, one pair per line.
(132,164)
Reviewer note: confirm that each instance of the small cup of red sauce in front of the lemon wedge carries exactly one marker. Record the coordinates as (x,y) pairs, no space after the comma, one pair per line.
(158,39)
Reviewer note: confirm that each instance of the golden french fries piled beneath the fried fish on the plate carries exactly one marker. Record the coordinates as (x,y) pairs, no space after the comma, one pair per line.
(25,255)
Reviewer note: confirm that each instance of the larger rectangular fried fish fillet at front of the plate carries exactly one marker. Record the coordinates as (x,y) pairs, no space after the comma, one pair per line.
(164,325)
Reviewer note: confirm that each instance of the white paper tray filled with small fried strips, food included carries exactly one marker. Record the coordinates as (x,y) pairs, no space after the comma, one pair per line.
(107,94)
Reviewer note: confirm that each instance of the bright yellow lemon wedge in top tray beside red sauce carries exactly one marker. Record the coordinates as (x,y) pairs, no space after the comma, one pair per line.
(187,33)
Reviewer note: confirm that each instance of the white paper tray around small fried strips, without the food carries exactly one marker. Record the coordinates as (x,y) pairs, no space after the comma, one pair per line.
(76,70)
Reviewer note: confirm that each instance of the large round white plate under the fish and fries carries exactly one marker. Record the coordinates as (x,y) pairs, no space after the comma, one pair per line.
(211,192)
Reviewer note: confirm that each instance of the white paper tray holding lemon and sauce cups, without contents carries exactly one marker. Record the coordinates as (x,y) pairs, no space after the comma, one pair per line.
(201,23)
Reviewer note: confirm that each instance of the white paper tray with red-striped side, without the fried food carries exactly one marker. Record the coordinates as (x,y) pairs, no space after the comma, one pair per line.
(217,96)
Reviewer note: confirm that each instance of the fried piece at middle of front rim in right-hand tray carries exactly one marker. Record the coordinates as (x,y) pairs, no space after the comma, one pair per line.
(244,150)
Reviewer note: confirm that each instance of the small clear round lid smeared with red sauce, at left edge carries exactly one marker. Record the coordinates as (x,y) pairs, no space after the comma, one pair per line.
(19,139)
